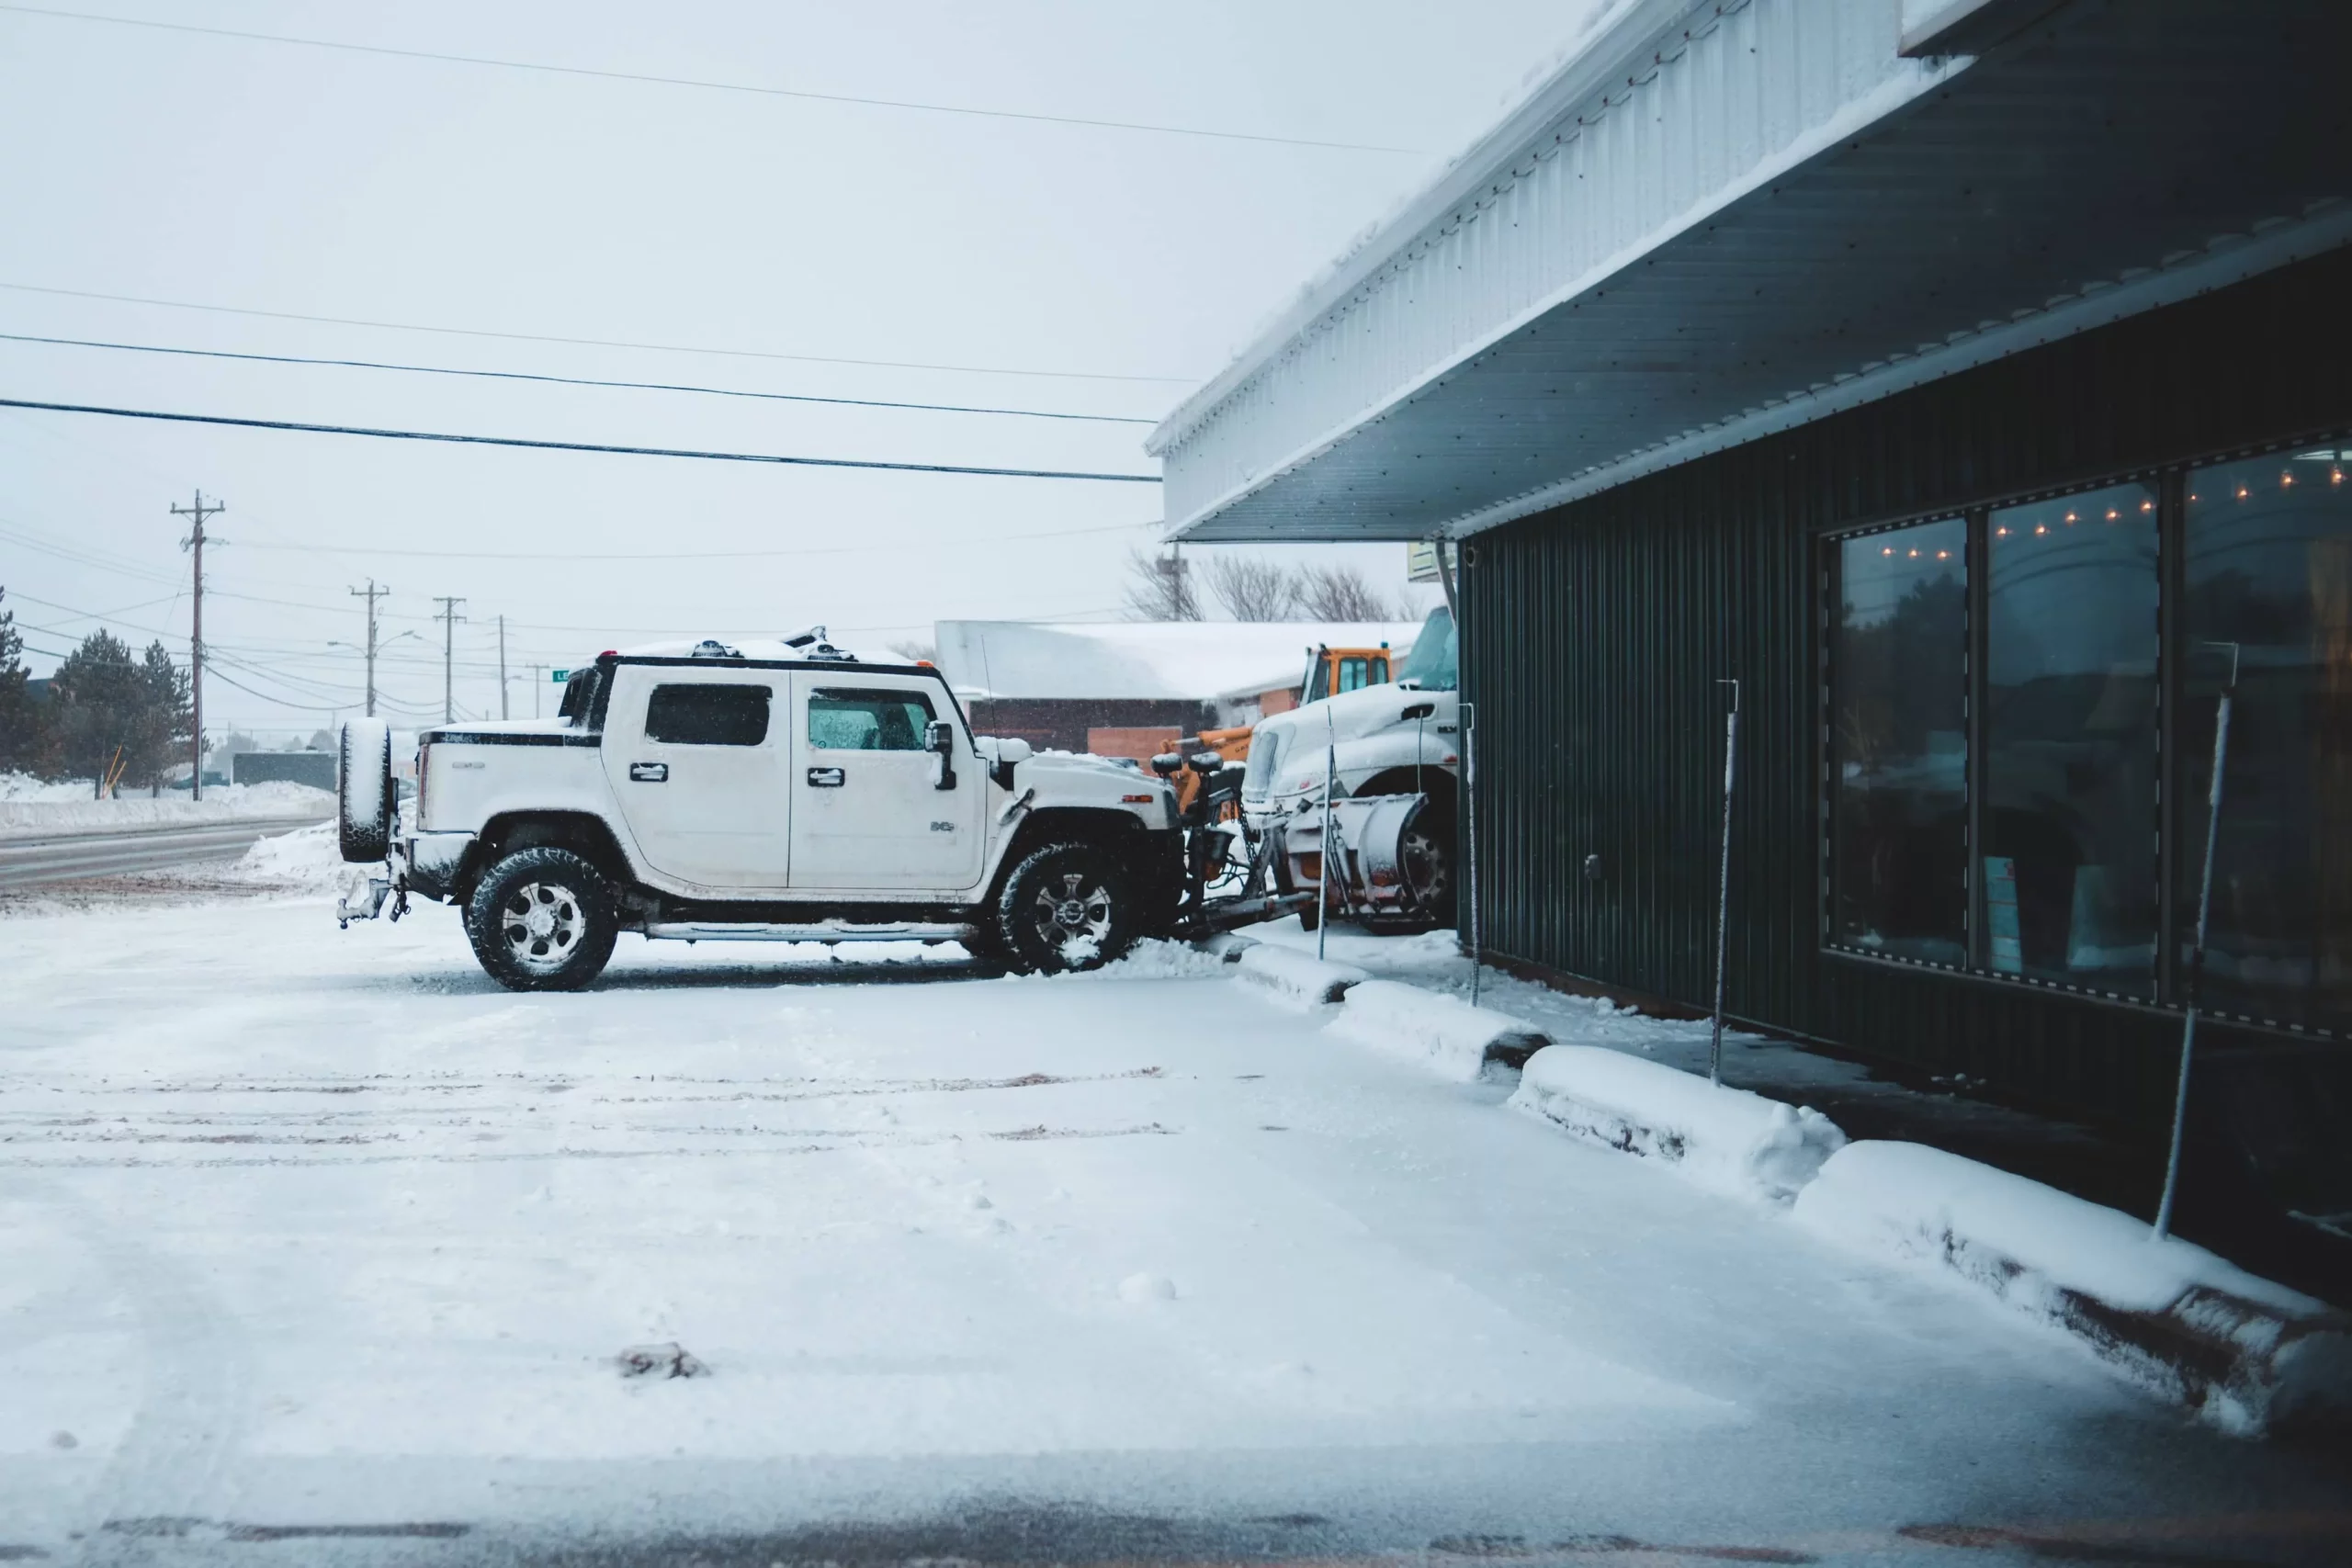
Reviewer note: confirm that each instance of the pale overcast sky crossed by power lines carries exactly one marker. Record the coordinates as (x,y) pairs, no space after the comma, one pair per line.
(1076,269)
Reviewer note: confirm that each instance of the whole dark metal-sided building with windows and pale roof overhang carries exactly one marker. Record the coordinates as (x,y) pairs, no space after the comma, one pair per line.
(1899,361)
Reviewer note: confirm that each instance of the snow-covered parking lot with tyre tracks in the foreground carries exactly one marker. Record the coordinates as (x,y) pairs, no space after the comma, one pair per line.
(316,1247)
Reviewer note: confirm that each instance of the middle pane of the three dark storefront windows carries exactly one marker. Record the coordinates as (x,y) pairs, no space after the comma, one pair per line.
(2069,873)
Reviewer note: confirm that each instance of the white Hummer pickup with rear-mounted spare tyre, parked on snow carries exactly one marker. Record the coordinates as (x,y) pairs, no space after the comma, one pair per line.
(780,791)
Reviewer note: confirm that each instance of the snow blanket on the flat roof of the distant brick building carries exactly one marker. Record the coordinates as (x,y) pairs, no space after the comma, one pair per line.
(1147,659)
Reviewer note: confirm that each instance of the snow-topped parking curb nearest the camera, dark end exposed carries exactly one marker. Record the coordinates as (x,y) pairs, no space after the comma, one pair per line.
(2243,1353)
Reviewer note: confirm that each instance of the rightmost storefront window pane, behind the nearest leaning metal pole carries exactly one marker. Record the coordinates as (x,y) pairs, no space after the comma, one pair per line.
(2271,570)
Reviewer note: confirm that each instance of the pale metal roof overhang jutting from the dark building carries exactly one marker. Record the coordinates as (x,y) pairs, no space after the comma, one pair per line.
(1737,217)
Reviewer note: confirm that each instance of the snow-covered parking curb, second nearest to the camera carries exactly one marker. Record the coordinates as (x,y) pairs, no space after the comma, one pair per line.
(1723,1139)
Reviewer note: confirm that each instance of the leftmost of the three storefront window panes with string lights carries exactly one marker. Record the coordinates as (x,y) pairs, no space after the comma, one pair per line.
(1899,744)
